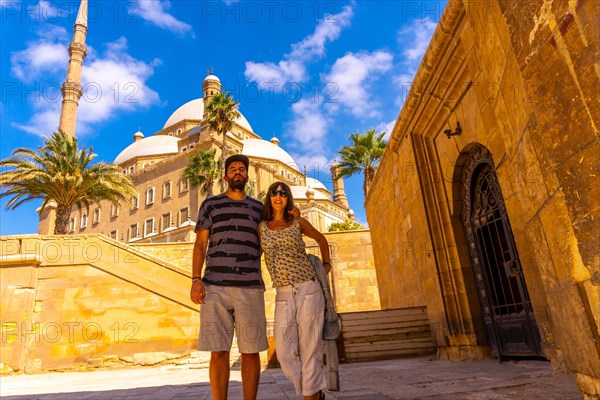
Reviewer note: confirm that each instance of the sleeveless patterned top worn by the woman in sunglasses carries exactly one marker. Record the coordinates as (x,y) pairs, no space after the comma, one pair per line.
(285,255)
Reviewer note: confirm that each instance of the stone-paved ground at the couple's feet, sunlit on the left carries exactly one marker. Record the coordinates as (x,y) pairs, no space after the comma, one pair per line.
(414,378)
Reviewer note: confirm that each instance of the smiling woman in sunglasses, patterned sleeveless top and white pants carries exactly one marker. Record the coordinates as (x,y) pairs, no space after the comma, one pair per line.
(299,303)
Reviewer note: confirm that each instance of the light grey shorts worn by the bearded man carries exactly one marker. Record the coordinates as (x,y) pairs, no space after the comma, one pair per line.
(226,306)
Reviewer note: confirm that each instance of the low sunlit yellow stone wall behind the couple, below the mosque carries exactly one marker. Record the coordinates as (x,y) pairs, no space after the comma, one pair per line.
(80,302)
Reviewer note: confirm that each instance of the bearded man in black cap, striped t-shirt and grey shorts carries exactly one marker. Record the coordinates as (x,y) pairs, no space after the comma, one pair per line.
(232,290)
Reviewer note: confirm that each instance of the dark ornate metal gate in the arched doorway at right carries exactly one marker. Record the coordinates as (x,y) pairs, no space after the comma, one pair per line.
(507,313)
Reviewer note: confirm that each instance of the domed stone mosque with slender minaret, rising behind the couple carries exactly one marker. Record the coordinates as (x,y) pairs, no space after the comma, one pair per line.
(166,207)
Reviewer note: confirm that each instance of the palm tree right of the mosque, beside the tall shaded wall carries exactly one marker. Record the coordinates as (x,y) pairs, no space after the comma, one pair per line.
(362,156)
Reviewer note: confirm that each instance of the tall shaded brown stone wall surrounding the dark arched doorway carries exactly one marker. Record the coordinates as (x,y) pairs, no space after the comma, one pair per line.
(518,78)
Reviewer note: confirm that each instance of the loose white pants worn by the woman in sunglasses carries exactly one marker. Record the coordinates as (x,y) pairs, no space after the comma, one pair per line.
(299,315)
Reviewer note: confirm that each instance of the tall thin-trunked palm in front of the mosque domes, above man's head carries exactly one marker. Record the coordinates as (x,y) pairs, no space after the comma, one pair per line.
(221,111)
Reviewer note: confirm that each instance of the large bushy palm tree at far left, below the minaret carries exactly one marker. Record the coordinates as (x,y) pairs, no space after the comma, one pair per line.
(61,172)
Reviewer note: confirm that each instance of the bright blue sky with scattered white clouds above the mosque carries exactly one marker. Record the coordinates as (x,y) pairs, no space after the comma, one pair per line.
(308,72)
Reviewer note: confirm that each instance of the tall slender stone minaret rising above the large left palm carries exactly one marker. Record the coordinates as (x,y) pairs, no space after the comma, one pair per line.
(71,89)
